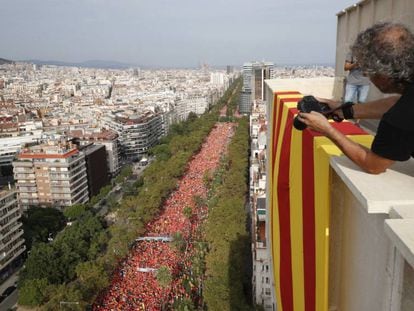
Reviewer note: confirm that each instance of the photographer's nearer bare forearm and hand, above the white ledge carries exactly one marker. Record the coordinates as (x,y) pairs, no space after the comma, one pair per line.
(363,157)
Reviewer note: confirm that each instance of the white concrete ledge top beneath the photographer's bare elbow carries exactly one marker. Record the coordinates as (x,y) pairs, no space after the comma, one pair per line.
(378,193)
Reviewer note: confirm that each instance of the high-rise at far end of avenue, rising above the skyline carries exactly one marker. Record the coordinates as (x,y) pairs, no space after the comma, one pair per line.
(253,89)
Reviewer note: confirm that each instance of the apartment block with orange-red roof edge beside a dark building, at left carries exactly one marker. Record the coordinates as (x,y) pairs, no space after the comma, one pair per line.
(51,174)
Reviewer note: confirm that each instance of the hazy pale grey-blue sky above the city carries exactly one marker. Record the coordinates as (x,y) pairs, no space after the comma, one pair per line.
(171,33)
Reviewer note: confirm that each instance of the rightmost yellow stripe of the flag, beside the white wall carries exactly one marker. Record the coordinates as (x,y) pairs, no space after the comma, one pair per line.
(323,150)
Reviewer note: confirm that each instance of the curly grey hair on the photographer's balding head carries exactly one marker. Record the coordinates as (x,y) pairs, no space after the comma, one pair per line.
(387,49)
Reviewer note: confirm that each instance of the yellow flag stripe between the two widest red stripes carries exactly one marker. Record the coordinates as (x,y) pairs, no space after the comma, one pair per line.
(296,220)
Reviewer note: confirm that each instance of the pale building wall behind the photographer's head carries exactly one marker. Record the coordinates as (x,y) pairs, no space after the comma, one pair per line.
(353,20)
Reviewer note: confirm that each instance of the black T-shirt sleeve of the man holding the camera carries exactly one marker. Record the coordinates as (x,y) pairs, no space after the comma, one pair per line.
(393,143)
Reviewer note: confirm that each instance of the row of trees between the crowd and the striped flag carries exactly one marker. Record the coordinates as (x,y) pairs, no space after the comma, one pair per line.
(228,261)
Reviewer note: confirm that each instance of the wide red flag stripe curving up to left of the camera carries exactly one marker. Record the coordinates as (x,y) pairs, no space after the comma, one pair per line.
(283,195)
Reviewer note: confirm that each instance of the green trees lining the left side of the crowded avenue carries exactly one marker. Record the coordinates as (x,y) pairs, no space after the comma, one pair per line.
(78,264)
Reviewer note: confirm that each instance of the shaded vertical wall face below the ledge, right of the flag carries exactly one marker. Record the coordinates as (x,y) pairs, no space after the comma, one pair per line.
(358,254)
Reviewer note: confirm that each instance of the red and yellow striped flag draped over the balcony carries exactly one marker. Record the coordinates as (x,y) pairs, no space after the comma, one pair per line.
(298,196)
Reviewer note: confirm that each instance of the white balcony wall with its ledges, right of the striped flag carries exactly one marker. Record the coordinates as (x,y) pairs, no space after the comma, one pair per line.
(371,261)
